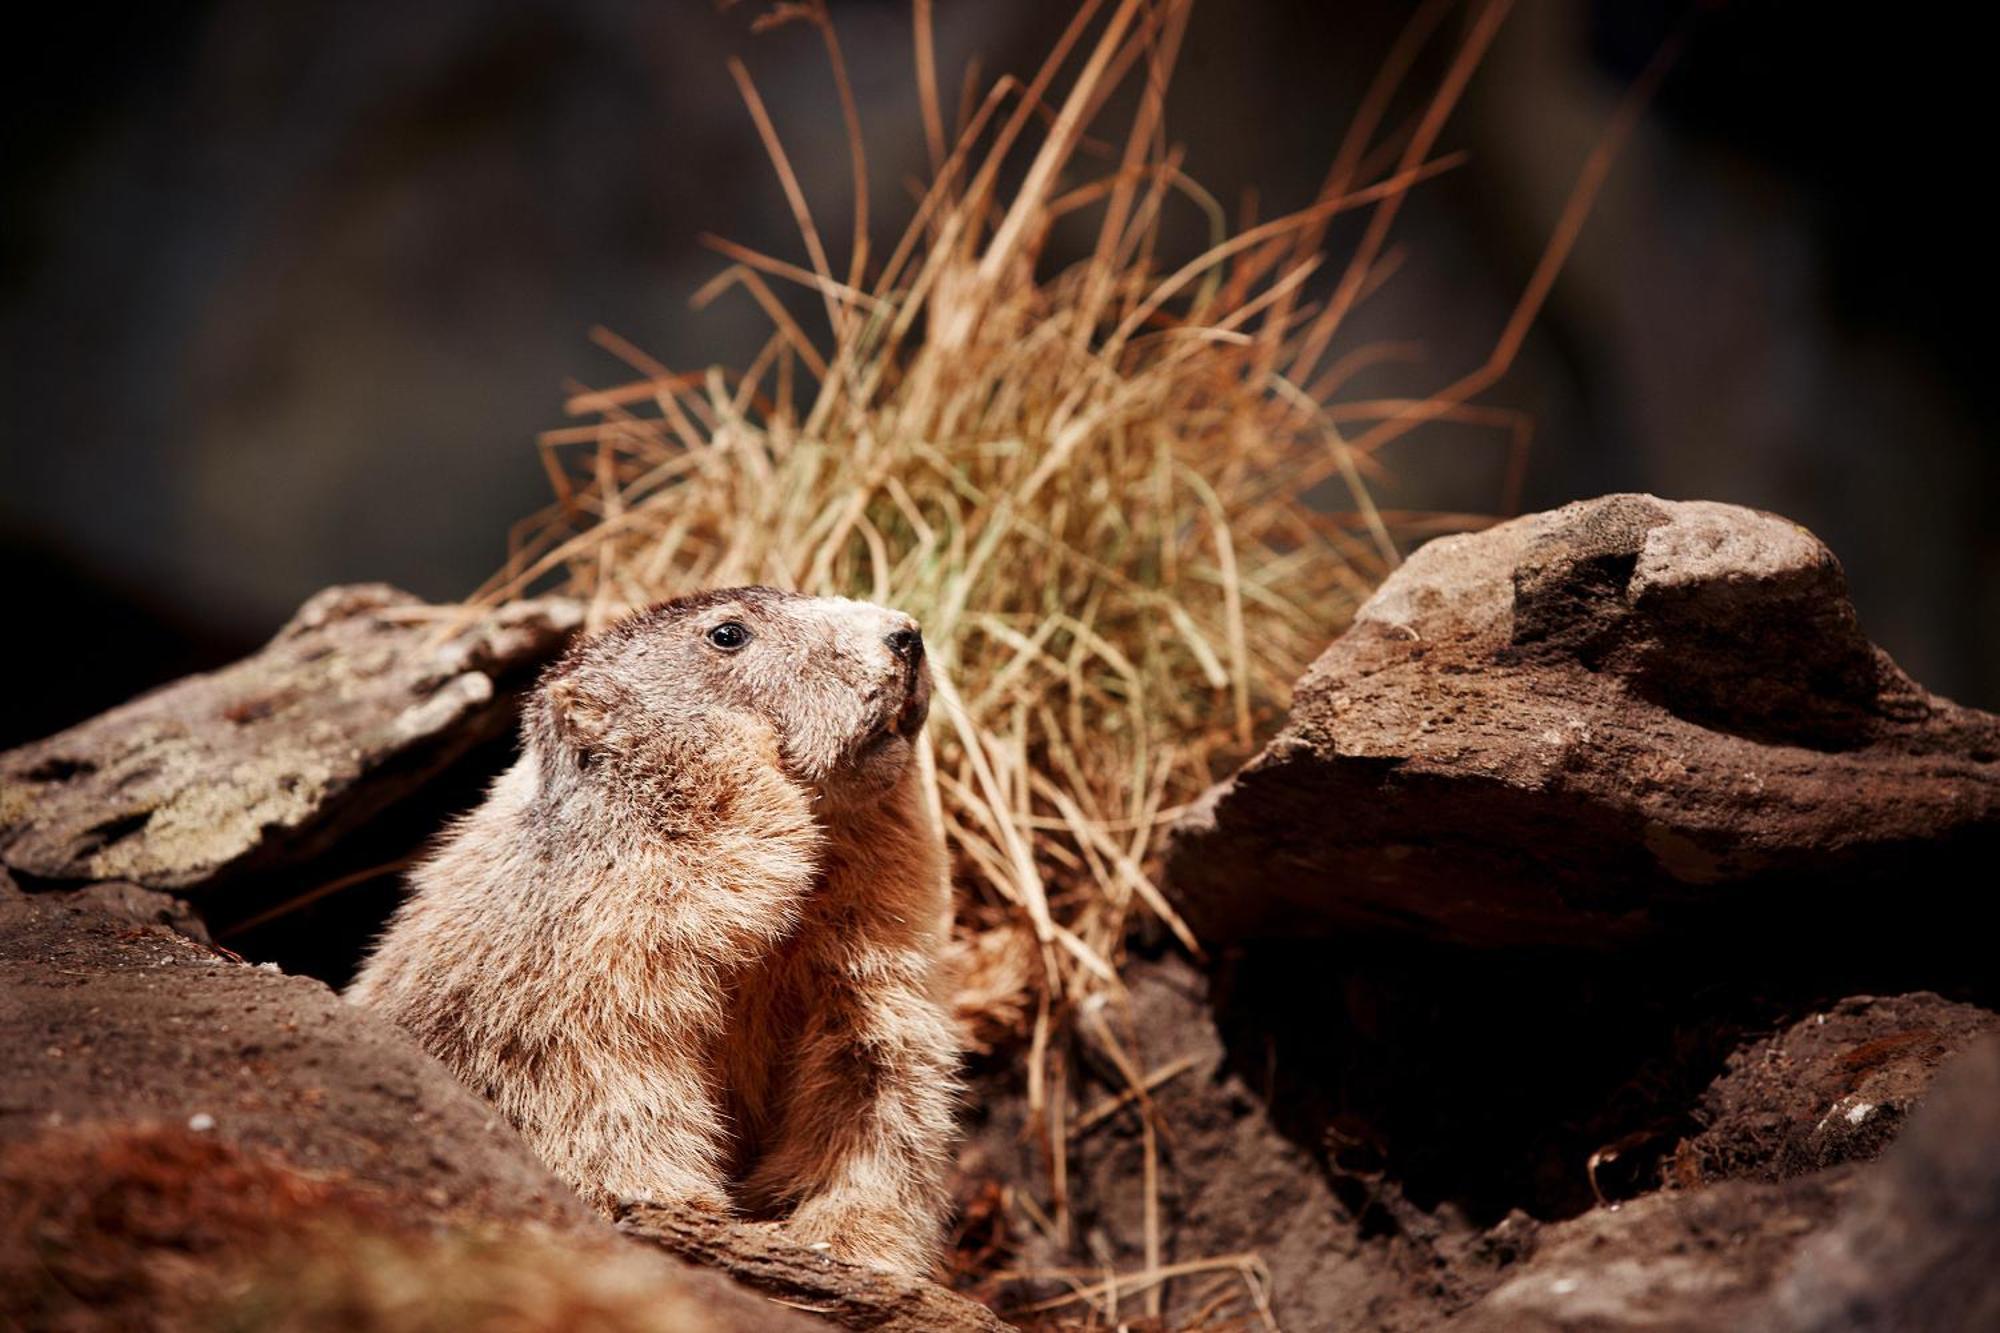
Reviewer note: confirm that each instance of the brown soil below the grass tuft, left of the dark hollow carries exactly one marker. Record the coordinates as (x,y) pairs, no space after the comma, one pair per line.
(1231,1188)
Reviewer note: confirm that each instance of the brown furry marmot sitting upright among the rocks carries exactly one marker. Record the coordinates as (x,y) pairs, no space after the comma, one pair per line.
(691,946)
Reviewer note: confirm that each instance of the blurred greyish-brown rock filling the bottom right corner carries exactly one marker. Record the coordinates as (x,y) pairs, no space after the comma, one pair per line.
(1919,1246)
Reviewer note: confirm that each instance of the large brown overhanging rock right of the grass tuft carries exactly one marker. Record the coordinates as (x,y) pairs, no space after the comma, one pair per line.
(1579,722)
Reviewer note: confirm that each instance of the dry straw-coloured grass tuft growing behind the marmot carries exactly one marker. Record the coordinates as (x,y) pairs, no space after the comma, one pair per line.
(1087,483)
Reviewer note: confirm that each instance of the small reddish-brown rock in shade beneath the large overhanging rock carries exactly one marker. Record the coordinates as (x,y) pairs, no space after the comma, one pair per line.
(1831,1090)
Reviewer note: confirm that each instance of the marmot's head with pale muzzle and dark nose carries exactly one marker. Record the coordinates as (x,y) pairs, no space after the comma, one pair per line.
(831,690)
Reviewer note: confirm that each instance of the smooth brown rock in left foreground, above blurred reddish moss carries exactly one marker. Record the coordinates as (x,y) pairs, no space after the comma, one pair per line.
(105,1020)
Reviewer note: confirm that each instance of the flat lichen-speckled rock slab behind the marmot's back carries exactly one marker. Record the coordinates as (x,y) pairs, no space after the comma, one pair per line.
(365,696)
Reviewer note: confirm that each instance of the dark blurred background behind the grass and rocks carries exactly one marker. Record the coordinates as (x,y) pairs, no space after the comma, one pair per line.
(287,291)
